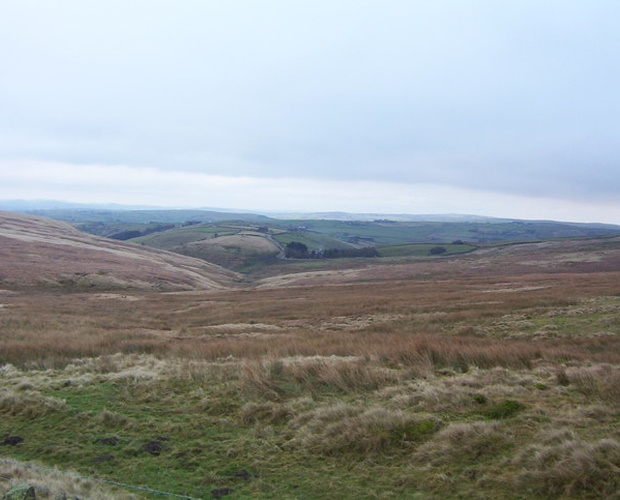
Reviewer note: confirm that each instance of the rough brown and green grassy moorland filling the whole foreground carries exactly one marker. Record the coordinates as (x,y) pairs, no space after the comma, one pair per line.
(492,375)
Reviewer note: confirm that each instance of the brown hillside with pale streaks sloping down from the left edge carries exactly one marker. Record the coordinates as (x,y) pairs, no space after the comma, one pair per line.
(40,251)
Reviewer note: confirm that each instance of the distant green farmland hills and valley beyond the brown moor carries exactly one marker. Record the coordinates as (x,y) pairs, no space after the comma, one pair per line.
(247,242)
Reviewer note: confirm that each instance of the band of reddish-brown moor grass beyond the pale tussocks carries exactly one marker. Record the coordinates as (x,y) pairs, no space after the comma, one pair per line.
(409,323)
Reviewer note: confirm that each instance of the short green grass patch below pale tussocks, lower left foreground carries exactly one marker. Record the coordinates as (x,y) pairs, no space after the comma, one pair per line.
(172,437)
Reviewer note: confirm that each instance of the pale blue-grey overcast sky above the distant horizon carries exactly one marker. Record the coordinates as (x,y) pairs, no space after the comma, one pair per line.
(386,106)
